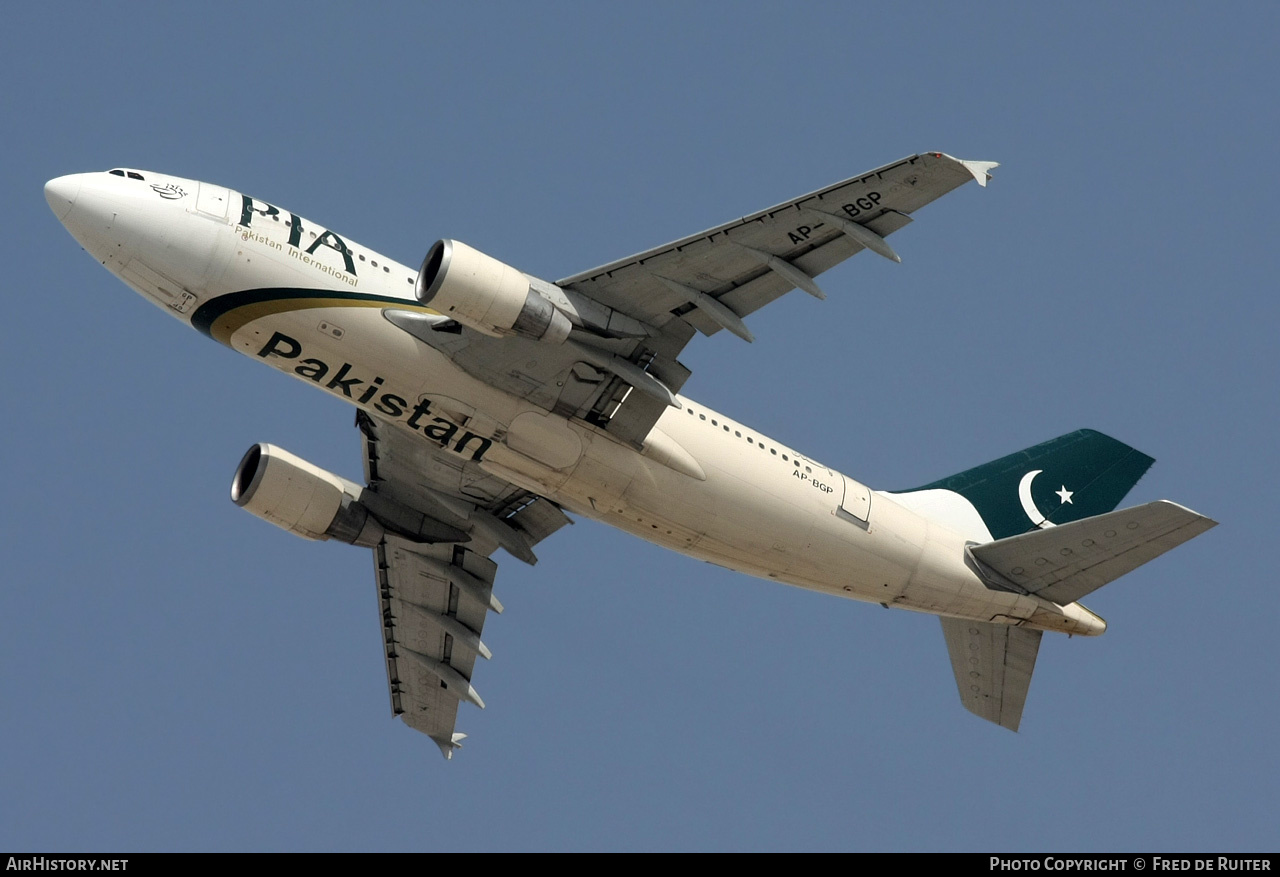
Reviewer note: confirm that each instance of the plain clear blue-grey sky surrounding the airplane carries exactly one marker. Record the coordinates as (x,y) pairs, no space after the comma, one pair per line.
(180,675)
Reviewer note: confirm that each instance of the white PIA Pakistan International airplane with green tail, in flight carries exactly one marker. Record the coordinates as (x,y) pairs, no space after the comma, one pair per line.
(491,403)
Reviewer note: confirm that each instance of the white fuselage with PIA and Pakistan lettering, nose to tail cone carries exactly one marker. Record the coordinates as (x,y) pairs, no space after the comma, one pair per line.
(705,486)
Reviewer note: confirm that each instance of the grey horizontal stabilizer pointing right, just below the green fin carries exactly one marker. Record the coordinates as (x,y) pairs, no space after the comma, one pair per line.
(1067,563)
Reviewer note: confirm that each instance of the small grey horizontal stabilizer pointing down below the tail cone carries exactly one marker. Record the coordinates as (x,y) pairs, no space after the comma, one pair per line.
(994,666)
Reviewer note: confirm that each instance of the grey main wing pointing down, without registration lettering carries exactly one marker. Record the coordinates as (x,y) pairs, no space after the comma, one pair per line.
(435,599)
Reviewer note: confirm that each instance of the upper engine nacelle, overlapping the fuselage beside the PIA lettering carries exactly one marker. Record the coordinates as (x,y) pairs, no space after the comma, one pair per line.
(486,295)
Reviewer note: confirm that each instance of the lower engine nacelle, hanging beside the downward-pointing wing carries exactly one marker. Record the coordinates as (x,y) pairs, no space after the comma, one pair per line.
(303,499)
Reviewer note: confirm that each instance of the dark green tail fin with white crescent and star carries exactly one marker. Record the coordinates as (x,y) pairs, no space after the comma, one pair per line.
(1077,476)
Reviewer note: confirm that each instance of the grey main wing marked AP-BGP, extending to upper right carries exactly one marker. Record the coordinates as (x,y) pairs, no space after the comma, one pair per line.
(636,316)
